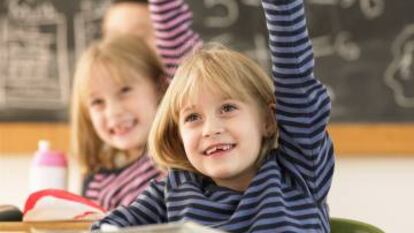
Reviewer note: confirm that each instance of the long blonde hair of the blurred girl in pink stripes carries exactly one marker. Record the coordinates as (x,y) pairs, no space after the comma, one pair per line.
(124,57)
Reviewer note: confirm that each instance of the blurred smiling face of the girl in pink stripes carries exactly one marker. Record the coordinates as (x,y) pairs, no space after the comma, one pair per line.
(122,114)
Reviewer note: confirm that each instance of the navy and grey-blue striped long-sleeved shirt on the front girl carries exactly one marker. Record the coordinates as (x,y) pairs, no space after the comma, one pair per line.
(289,192)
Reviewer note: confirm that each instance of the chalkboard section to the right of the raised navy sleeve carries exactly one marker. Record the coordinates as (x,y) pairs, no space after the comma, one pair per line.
(365,54)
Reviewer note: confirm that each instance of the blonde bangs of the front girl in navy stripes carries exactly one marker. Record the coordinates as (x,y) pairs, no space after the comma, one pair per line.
(207,72)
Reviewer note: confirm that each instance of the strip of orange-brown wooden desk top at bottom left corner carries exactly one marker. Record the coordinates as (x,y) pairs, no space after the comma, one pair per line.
(56,225)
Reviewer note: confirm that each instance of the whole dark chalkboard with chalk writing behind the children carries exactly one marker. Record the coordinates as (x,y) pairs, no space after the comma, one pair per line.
(364,52)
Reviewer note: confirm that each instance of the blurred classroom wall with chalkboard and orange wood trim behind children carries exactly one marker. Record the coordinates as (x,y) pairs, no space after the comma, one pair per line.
(364,54)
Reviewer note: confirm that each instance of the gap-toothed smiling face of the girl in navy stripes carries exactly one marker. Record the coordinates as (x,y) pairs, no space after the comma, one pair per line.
(222,137)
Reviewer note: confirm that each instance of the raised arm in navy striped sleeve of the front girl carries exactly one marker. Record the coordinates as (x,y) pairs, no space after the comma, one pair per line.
(302,102)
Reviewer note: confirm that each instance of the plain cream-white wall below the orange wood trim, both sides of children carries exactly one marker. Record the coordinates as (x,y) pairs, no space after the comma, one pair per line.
(375,189)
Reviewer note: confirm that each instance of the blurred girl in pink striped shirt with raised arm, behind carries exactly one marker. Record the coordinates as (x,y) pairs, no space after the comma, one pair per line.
(118,85)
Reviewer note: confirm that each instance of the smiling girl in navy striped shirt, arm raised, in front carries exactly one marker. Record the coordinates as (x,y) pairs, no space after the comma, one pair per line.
(215,133)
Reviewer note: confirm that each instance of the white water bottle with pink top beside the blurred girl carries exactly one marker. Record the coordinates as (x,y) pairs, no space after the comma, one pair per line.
(49,169)
